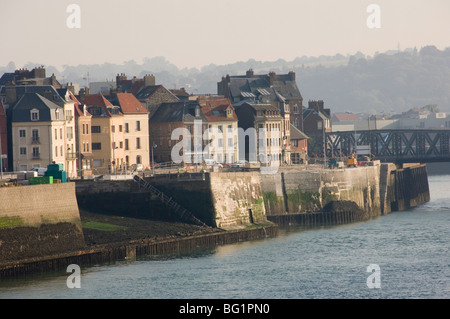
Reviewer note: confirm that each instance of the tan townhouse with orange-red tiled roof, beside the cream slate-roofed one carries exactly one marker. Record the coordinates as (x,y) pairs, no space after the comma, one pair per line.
(119,133)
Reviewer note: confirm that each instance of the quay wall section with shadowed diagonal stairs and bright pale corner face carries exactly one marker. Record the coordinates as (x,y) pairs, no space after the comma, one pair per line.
(224,200)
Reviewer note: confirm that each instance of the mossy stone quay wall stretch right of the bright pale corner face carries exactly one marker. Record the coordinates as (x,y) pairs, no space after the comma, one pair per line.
(310,190)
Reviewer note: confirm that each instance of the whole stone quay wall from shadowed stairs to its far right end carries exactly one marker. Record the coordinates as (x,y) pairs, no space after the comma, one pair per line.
(234,199)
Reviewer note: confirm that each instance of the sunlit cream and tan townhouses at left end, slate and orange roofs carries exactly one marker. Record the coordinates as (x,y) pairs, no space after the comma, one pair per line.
(89,137)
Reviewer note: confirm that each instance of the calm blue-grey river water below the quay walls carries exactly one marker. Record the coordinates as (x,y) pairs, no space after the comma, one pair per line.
(411,249)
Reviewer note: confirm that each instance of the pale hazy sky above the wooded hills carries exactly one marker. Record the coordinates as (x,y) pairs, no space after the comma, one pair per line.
(194,33)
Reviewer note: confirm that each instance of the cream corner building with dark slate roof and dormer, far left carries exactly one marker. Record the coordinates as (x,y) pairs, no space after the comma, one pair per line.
(43,127)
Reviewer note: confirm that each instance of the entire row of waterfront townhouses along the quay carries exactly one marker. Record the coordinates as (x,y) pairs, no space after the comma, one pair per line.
(136,122)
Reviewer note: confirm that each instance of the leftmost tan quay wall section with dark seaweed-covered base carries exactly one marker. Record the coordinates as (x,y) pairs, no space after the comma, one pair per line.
(39,220)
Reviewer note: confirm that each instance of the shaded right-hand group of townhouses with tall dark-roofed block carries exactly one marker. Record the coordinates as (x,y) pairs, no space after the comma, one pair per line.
(272,102)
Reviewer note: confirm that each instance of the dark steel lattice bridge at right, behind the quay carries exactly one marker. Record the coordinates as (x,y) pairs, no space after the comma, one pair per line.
(399,146)
